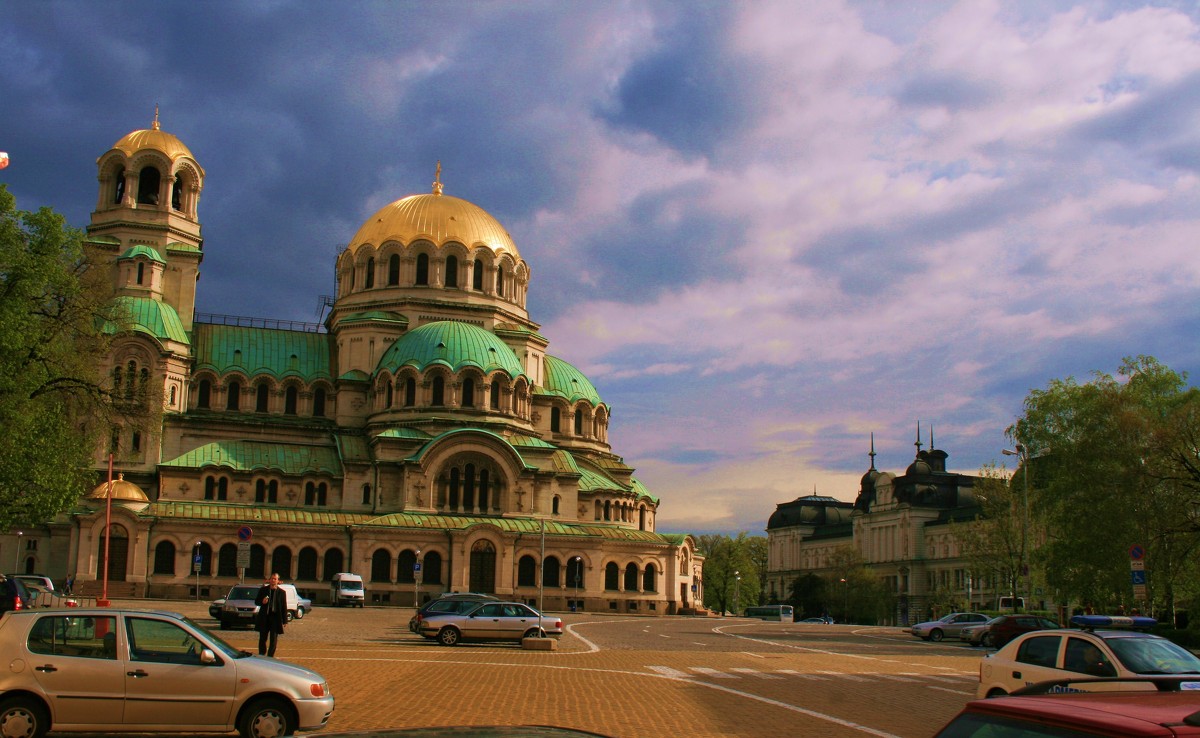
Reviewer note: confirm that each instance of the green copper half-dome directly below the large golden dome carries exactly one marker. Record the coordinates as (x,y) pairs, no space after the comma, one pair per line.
(454,346)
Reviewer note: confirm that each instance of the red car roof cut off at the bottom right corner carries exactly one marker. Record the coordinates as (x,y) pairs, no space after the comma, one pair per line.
(1155,706)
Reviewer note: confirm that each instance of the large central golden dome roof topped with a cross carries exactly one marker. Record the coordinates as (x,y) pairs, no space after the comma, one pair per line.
(437,218)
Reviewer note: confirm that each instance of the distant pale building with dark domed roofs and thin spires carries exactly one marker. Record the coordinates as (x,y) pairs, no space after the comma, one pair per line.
(901,525)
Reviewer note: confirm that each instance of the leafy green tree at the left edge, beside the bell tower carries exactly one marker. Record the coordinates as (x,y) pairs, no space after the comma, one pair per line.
(53,406)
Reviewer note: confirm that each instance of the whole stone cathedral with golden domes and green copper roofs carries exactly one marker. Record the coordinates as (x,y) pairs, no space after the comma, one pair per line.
(422,436)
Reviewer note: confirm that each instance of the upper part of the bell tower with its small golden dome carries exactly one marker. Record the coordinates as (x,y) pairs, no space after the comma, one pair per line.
(149,193)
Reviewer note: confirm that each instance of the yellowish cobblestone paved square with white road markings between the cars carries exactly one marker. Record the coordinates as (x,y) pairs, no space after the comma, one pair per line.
(631,676)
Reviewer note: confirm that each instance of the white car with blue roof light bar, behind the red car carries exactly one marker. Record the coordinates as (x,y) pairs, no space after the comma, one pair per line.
(1102,647)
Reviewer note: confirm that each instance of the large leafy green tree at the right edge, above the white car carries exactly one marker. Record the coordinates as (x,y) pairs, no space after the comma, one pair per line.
(1111,467)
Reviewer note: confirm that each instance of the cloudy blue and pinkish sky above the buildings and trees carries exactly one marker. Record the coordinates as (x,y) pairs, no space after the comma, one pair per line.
(765,231)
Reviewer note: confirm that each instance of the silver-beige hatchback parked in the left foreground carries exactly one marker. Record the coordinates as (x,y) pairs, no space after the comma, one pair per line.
(188,680)
